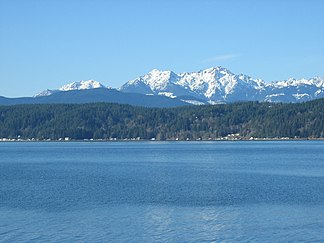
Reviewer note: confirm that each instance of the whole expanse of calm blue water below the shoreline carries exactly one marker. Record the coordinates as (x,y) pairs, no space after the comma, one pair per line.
(164,192)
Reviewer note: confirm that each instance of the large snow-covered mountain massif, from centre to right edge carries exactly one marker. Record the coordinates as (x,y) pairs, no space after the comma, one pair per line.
(218,84)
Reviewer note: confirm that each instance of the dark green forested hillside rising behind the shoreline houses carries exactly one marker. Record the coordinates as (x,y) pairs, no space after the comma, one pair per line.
(106,121)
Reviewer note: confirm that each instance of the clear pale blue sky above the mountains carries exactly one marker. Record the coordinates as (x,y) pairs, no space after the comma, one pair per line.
(46,44)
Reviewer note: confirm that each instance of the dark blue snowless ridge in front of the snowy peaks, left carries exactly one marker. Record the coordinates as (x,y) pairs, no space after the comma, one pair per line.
(96,95)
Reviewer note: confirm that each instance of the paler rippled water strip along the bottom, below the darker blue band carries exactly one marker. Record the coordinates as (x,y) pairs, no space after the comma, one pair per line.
(254,223)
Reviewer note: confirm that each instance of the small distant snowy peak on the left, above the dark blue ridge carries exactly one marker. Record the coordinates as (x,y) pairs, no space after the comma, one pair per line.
(80,85)
